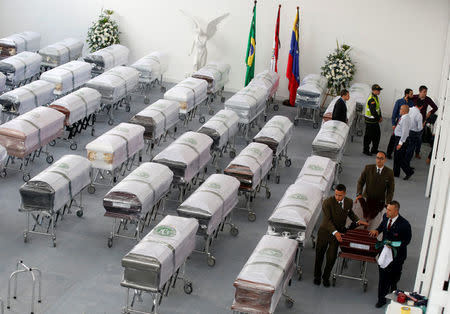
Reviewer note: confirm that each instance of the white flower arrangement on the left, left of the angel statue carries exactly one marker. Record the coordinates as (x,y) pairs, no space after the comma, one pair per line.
(104,32)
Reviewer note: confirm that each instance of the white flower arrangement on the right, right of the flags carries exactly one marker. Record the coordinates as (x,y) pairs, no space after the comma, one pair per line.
(339,69)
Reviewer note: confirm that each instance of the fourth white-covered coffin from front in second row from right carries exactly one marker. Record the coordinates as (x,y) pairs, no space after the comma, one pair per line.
(276,133)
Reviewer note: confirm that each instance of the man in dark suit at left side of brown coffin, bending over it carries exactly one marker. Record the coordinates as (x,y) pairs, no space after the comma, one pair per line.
(335,211)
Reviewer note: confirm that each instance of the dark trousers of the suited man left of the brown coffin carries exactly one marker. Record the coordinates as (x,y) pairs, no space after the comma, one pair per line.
(326,243)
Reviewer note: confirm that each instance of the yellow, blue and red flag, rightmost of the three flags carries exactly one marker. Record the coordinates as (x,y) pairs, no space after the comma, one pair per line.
(293,72)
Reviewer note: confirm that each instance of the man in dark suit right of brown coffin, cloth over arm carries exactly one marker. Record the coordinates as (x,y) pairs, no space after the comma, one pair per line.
(394,228)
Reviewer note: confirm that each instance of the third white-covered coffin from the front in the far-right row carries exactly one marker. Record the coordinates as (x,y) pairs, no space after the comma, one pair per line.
(318,171)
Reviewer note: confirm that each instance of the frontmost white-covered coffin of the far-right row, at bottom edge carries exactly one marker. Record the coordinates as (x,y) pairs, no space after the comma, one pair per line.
(264,278)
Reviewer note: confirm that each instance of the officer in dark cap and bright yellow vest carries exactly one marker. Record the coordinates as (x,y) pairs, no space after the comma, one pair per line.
(372,118)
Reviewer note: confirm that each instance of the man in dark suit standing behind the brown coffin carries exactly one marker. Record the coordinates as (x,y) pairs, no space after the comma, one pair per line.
(376,184)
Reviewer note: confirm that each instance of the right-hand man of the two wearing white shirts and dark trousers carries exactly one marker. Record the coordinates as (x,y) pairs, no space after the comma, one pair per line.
(415,131)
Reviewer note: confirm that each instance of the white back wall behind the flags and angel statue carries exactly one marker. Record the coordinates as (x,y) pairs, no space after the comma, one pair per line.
(396,43)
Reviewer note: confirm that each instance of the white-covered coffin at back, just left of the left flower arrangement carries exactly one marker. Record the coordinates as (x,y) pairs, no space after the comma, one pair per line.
(61,52)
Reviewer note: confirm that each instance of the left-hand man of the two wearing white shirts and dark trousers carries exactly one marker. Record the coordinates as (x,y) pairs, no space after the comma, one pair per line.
(401,133)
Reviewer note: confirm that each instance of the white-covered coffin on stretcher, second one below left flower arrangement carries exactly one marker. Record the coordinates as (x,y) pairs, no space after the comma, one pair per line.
(115,86)
